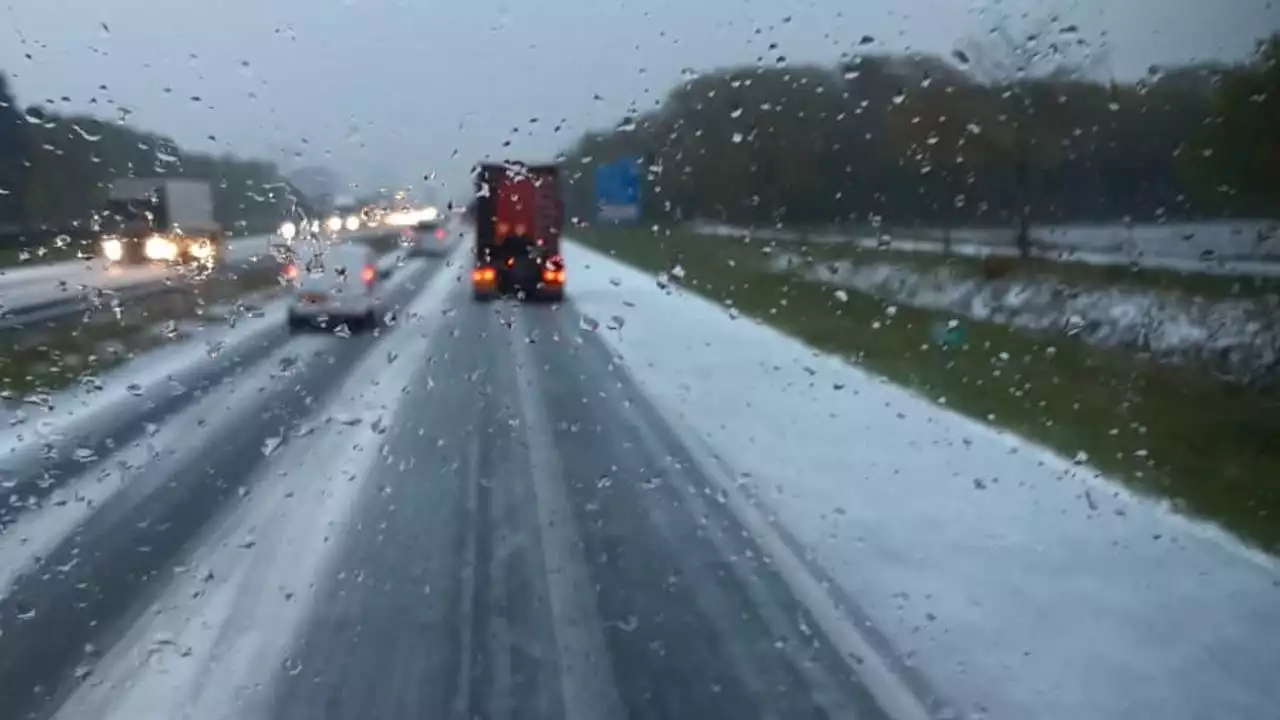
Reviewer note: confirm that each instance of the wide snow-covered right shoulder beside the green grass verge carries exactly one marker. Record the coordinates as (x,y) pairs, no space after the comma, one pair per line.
(1017,582)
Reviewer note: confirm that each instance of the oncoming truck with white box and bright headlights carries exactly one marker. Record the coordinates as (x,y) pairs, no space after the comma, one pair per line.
(161,220)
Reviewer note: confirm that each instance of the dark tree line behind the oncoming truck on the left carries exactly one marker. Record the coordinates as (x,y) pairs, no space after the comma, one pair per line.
(56,171)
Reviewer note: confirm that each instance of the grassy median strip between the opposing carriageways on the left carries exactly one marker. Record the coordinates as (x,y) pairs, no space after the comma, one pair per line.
(53,356)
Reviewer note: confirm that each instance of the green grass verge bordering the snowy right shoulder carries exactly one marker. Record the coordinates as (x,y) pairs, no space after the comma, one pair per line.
(1213,449)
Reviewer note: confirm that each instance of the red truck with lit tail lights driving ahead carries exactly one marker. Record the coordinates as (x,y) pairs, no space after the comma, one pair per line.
(519,217)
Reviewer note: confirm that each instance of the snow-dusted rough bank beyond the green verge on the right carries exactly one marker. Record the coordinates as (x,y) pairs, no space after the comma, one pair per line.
(1237,338)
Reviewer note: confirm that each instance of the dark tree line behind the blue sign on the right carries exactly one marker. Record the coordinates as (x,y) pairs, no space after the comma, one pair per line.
(979,138)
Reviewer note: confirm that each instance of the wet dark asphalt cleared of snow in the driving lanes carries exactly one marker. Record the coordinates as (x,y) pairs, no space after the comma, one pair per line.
(550,549)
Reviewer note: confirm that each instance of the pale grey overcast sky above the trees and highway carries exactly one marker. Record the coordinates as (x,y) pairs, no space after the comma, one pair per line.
(397,89)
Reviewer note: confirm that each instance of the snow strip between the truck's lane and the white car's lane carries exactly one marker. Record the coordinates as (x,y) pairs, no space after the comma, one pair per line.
(223,627)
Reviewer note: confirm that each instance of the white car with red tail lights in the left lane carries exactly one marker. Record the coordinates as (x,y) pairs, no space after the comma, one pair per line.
(335,286)
